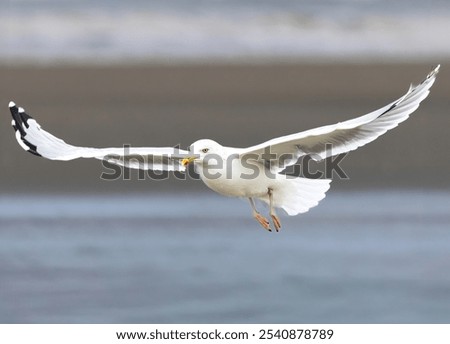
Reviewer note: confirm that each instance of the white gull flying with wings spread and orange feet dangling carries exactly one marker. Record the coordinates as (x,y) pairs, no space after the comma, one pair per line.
(254,172)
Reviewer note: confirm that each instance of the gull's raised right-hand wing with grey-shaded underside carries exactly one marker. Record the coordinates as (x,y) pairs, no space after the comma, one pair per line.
(342,137)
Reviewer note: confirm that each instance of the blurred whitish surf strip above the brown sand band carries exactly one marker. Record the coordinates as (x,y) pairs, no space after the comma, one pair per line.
(104,31)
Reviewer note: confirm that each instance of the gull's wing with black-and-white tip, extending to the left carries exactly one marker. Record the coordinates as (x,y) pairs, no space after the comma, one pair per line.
(34,139)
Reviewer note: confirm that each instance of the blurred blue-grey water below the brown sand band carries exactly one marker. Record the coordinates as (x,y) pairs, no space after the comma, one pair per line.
(358,257)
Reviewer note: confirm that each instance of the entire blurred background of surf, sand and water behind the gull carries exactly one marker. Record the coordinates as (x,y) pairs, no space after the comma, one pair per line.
(78,249)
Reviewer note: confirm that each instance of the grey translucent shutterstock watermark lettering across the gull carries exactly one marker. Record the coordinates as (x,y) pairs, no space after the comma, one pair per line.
(213,166)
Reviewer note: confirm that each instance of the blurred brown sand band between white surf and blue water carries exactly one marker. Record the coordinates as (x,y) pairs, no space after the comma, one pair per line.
(236,105)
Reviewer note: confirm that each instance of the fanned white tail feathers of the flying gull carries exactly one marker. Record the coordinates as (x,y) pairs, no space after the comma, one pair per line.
(297,195)
